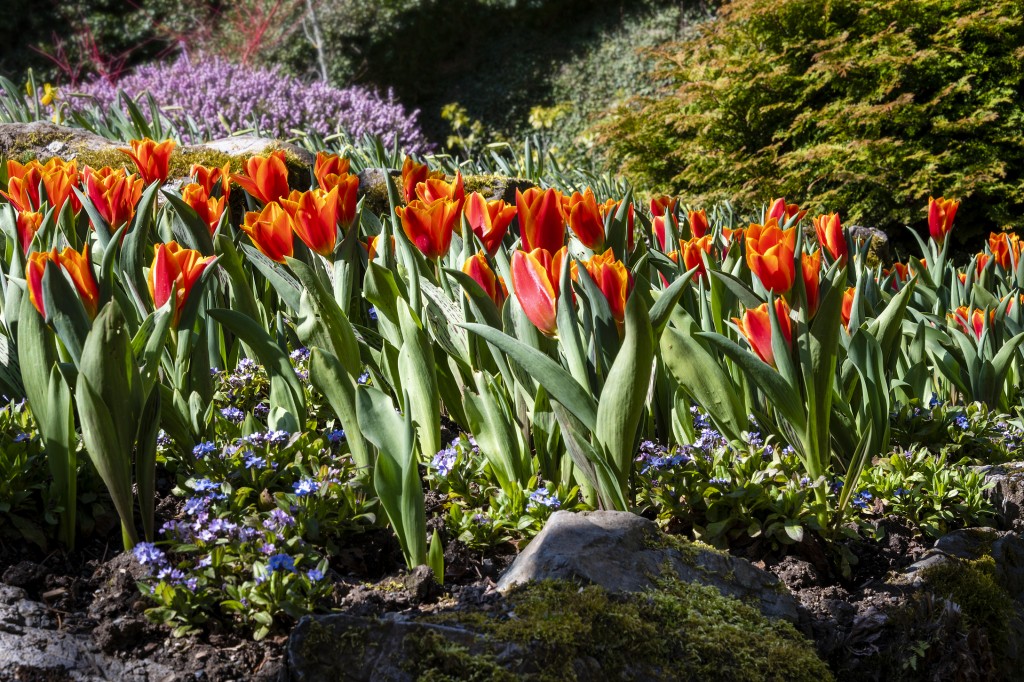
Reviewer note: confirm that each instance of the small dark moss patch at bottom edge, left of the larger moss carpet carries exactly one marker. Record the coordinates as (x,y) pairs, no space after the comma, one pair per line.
(432,658)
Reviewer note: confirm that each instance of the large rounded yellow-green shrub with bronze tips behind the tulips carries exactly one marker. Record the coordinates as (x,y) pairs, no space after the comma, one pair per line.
(867,107)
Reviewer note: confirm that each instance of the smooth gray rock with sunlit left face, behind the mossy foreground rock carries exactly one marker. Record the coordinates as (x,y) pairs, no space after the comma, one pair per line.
(623,552)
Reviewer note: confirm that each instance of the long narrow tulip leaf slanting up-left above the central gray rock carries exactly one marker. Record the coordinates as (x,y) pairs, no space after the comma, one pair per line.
(560,383)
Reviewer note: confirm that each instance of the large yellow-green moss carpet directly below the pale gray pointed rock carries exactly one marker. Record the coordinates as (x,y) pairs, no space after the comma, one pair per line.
(679,631)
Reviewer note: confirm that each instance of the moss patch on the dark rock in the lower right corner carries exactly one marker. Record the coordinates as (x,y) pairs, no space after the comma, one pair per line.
(973,585)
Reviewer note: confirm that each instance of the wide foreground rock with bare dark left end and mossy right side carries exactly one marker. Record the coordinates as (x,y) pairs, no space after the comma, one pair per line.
(559,630)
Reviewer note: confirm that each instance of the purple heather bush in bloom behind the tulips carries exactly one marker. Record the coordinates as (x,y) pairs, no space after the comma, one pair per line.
(223,98)
